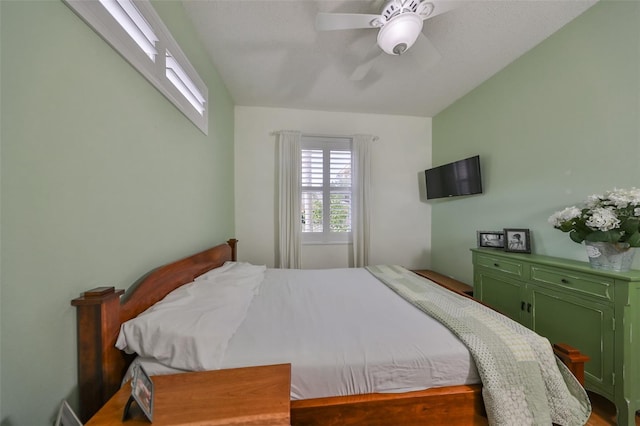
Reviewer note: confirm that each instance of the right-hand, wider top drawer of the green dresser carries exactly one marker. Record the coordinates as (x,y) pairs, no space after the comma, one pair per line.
(598,286)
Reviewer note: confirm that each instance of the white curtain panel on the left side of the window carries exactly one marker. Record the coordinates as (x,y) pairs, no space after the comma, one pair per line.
(289,199)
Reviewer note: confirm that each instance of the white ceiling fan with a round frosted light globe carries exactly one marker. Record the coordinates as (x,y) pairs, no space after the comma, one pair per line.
(399,28)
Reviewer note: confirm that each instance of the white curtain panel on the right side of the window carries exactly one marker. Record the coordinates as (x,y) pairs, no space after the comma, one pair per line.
(361,172)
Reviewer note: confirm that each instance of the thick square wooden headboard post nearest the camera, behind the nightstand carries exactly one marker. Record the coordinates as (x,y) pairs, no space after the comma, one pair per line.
(98,316)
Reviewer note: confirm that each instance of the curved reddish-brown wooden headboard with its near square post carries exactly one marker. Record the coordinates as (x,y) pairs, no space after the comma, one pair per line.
(101,311)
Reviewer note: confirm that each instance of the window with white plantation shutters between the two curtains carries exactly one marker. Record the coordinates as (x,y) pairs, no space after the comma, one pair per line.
(326,189)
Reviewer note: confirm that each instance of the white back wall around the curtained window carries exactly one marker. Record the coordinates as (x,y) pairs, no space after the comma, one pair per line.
(400,218)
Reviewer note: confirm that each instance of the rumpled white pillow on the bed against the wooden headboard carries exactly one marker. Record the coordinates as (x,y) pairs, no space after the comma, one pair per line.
(191,327)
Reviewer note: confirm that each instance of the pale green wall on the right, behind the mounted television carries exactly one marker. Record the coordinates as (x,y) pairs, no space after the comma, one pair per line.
(558,124)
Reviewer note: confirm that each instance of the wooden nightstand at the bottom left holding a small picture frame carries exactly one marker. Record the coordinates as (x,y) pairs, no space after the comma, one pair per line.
(239,396)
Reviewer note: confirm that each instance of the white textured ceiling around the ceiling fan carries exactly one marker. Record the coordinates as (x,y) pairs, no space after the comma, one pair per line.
(269,53)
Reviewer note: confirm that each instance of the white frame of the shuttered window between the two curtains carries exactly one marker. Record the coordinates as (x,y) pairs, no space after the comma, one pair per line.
(326,144)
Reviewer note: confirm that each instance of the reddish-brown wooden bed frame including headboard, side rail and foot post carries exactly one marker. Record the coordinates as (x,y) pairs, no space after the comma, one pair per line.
(101,366)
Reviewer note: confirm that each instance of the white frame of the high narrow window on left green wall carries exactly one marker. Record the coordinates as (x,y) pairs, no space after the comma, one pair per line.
(102,22)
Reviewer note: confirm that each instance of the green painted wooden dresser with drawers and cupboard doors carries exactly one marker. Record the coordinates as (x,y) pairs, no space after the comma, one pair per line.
(597,312)
